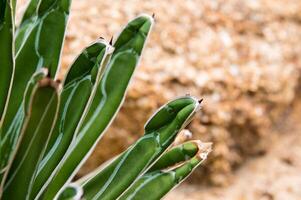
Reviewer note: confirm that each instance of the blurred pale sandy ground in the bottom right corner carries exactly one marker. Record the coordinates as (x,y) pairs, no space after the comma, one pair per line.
(273,176)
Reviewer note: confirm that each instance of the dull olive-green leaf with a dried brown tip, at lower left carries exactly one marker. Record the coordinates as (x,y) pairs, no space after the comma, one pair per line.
(41,111)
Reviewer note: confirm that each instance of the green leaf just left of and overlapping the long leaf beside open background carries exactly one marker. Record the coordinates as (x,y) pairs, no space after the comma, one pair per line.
(74,97)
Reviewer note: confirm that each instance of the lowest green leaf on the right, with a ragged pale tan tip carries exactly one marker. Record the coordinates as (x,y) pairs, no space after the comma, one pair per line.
(170,170)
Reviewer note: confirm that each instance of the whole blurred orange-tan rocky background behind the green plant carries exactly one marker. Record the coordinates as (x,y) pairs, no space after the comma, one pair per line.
(242,57)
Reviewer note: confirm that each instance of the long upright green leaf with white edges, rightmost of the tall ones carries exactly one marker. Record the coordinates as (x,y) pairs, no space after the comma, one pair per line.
(108,98)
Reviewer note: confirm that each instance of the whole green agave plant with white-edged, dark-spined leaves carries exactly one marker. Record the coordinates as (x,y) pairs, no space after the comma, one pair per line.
(49,127)
